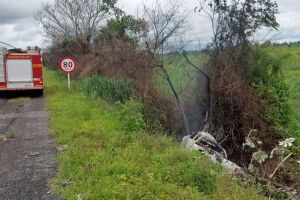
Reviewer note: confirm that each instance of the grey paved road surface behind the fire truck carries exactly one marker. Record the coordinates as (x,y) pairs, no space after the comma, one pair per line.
(27,152)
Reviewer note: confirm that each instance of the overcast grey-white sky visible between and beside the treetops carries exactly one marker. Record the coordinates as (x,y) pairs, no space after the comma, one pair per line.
(17,26)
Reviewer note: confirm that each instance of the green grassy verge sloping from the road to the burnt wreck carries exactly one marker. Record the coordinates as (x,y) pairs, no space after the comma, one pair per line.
(102,161)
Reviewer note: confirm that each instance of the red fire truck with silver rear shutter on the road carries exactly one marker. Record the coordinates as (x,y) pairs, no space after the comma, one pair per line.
(21,70)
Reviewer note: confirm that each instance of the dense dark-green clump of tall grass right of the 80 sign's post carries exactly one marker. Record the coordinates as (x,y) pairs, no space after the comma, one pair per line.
(110,90)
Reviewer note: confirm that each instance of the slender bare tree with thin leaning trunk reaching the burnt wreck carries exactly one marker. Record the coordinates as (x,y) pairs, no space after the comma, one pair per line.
(166,20)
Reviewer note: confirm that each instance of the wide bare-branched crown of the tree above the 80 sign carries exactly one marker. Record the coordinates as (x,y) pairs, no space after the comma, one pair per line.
(74,19)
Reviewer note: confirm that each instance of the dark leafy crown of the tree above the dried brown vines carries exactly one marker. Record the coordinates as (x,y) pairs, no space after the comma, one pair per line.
(234,22)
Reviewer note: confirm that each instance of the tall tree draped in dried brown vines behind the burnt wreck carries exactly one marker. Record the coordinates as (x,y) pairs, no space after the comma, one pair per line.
(235,109)
